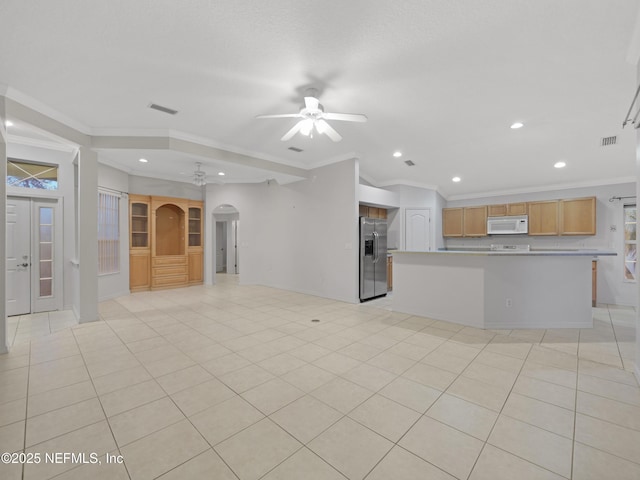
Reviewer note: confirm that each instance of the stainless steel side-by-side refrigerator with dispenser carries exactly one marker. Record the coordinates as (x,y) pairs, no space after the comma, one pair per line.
(373,258)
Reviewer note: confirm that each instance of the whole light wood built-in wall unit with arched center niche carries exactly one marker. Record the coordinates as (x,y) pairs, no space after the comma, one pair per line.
(172,255)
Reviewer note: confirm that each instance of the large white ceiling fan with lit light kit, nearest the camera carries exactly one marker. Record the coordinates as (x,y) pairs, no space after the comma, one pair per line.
(312,116)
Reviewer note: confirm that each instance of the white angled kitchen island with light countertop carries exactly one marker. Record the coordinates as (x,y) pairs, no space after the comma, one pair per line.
(497,289)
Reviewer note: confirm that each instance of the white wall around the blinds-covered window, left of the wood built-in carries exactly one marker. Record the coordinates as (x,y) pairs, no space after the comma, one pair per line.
(116,284)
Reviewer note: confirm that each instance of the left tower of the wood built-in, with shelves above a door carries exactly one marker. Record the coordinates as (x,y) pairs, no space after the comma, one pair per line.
(139,243)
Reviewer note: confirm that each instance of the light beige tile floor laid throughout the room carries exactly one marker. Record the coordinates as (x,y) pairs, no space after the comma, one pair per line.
(238,382)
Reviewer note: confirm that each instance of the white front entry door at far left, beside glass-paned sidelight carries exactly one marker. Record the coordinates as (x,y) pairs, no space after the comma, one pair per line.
(18,252)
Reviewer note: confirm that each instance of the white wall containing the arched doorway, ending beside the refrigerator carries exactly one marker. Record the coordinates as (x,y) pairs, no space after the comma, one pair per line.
(301,236)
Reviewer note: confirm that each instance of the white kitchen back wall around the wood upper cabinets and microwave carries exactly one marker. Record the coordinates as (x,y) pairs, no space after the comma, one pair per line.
(612,288)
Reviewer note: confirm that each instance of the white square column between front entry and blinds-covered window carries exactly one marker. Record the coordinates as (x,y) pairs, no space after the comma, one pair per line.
(87,236)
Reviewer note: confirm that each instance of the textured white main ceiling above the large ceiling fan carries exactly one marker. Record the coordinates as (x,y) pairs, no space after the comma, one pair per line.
(440,80)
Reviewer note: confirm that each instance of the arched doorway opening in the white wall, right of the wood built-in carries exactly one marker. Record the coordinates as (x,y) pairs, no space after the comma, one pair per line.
(226,219)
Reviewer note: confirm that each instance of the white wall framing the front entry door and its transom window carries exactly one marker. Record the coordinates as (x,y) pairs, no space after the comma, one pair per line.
(65,192)
